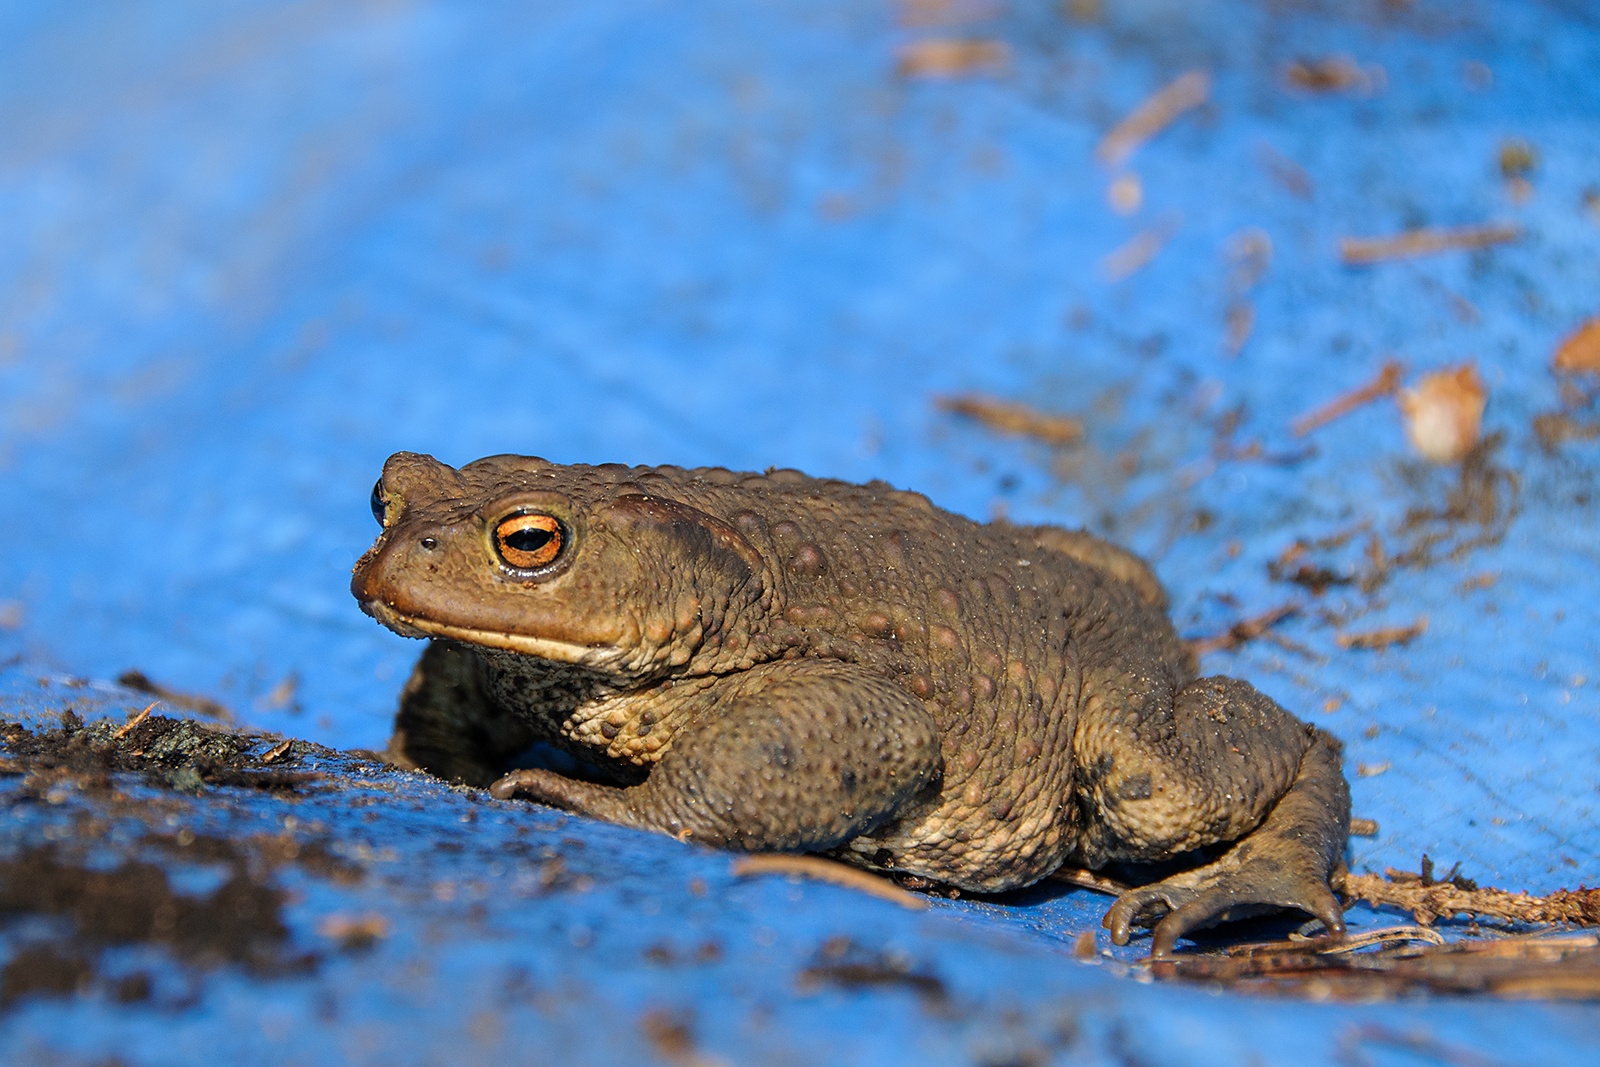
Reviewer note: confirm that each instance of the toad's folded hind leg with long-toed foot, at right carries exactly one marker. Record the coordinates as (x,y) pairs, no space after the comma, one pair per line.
(1226,765)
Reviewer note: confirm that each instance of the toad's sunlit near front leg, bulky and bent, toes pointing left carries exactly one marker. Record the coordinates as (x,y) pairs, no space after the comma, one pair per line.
(796,756)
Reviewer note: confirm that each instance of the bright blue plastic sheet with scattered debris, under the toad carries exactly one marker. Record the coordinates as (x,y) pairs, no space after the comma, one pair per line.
(252,249)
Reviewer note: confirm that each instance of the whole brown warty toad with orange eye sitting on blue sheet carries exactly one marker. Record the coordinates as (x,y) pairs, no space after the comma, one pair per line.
(799,665)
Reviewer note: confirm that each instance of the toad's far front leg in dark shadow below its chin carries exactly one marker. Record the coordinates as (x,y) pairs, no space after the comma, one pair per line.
(446,724)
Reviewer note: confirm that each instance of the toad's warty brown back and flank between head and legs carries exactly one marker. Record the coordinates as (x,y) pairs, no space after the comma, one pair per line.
(994,628)
